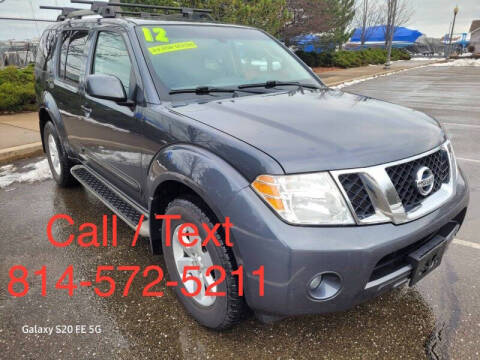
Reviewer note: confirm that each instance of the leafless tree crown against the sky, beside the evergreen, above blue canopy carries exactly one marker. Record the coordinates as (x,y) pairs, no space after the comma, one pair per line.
(368,14)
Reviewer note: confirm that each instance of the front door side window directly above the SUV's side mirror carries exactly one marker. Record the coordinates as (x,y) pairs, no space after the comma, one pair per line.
(111,58)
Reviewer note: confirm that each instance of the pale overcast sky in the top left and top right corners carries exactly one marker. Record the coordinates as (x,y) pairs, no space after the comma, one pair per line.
(431,17)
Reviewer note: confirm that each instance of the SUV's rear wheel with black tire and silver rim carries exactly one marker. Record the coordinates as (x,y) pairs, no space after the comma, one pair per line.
(59,163)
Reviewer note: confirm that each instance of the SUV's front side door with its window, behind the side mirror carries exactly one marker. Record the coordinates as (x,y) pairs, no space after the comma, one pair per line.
(114,142)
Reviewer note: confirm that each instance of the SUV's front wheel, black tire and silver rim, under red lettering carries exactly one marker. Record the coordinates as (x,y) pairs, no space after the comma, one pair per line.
(225,311)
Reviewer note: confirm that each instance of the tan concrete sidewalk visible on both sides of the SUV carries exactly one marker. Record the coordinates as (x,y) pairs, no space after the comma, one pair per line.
(20,134)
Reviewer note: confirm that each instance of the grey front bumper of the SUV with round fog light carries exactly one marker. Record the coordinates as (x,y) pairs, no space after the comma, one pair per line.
(292,255)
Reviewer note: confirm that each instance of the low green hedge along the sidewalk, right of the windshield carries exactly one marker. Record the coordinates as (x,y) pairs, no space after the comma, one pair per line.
(347,59)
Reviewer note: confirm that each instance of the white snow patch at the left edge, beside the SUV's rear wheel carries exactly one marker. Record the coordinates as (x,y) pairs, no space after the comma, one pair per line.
(29,173)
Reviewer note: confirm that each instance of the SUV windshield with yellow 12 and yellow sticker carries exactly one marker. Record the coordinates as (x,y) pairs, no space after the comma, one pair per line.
(212,56)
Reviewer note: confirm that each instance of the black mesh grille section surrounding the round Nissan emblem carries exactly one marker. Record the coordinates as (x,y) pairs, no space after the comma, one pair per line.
(403,177)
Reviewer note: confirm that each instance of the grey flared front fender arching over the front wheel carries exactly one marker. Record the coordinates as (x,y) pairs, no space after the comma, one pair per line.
(188,170)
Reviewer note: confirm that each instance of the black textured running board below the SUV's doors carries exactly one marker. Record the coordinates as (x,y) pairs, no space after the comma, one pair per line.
(111,197)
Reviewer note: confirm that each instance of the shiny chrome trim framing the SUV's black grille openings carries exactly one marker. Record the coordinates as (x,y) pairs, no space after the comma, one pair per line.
(388,205)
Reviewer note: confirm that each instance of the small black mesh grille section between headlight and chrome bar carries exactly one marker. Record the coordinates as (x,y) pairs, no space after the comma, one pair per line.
(355,190)
